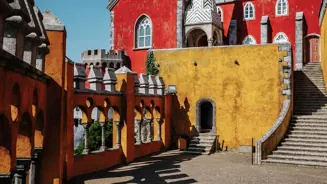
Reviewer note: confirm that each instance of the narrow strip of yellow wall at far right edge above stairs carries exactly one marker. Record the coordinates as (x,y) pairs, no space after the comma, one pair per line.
(323,42)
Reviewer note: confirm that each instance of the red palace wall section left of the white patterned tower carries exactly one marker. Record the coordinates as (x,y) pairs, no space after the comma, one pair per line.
(163,17)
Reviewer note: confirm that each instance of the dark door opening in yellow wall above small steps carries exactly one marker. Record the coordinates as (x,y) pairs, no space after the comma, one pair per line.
(206,116)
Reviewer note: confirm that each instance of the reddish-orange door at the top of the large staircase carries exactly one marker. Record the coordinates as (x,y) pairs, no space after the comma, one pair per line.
(312,49)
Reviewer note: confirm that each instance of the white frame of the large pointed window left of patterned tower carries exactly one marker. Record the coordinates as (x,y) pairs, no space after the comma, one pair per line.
(137,26)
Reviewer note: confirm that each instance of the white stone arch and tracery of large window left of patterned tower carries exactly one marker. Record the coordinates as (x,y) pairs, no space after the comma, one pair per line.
(139,22)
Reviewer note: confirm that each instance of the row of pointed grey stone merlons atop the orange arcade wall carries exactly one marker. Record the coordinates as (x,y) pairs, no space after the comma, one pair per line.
(144,85)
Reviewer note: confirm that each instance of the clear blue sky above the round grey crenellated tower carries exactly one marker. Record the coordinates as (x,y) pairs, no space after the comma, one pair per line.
(87,23)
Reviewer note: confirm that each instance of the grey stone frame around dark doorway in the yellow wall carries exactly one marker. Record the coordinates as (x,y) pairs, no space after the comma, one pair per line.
(198,114)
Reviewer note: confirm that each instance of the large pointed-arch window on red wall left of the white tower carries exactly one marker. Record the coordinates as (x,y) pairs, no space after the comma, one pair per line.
(143,31)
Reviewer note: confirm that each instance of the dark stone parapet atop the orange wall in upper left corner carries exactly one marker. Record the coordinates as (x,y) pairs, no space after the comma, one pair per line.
(23,34)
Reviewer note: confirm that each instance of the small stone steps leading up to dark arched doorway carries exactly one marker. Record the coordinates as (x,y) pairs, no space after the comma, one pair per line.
(202,144)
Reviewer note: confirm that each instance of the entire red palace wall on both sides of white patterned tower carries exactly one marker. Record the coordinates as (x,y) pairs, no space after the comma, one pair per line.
(163,16)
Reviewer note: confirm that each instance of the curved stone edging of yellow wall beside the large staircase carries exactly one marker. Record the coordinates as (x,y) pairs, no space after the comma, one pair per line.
(286,77)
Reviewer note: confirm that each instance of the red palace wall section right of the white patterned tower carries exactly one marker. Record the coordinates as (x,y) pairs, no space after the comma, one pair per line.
(278,24)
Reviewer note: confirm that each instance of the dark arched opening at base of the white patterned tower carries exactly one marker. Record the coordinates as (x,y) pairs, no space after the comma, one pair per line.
(197,38)
